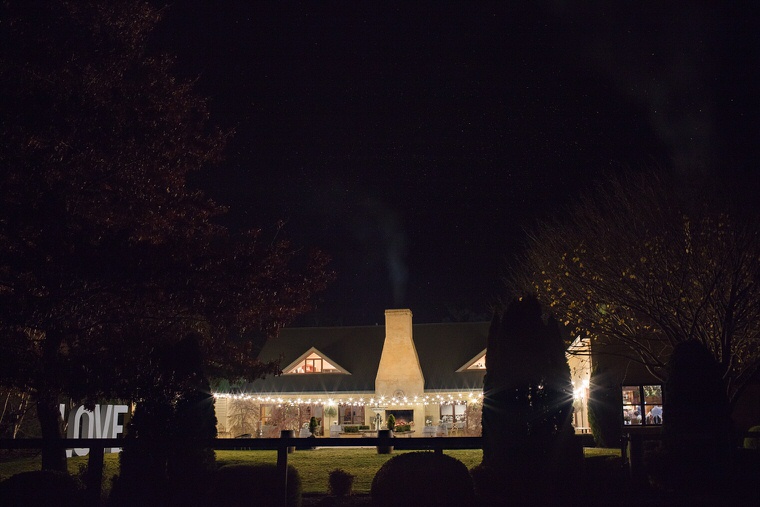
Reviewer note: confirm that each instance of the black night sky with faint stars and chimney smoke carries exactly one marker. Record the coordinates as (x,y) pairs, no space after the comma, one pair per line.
(413,141)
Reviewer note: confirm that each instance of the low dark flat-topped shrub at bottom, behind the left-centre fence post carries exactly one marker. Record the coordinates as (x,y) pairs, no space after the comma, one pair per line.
(244,485)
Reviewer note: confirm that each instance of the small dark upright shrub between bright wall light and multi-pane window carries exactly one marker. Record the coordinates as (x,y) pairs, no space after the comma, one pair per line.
(604,409)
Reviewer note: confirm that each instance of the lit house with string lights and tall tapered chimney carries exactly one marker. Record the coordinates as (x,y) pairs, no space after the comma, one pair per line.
(426,375)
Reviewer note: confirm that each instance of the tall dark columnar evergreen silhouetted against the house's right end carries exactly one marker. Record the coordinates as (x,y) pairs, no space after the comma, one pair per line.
(527,407)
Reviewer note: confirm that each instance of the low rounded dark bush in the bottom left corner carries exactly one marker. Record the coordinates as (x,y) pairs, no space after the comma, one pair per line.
(40,488)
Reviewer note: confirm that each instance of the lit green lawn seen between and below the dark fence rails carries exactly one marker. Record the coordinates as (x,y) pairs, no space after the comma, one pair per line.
(313,466)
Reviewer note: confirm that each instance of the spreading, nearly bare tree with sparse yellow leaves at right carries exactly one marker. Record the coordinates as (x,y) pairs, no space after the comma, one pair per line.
(633,264)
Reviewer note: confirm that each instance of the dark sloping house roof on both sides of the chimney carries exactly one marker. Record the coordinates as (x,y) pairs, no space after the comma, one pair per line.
(442,349)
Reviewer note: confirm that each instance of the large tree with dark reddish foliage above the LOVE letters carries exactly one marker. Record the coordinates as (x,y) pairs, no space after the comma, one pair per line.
(106,252)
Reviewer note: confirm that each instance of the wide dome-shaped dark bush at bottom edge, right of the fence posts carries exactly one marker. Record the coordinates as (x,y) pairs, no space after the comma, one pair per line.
(422,479)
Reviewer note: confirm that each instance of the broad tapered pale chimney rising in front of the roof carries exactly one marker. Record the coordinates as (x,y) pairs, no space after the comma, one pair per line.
(399,370)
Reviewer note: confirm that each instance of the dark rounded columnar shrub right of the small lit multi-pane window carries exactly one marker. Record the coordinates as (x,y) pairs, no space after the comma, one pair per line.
(696,456)
